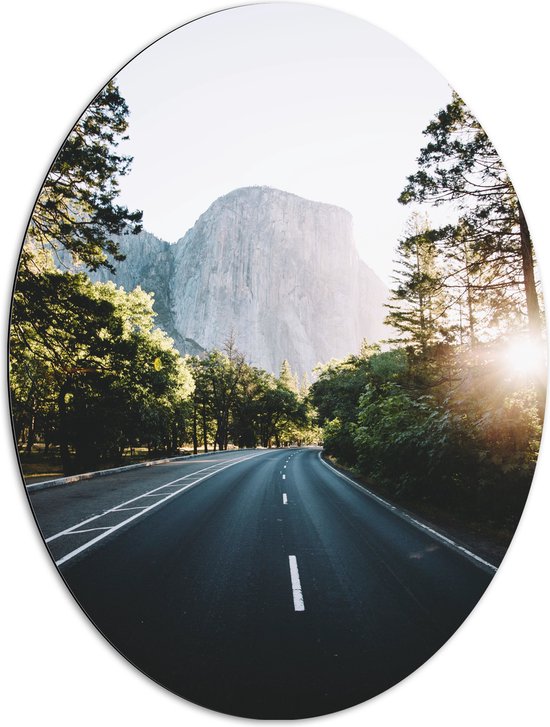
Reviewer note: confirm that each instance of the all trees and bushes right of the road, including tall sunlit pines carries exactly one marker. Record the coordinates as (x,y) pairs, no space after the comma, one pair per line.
(452,413)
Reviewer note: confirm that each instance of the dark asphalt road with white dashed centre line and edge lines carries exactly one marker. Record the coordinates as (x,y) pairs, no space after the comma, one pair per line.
(259,584)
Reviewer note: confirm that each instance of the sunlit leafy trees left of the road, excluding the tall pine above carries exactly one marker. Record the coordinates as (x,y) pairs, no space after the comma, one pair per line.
(92,378)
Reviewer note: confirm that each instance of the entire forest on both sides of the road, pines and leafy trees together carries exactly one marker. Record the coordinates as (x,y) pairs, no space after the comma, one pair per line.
(448,410)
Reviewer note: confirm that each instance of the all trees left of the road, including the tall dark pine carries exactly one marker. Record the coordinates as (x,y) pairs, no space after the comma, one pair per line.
(90,375)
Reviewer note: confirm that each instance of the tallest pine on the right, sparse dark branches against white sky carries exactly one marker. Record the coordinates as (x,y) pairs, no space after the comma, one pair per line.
(460,166)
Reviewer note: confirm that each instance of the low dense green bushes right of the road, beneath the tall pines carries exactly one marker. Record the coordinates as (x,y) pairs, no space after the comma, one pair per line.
(468,443)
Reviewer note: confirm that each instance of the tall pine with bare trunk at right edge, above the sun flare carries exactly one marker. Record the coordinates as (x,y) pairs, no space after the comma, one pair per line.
(460,167)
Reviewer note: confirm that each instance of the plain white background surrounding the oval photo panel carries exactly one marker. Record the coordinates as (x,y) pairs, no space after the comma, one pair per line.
(58,671)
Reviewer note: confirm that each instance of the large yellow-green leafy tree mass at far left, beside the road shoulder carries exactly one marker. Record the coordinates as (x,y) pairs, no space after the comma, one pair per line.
(88,370)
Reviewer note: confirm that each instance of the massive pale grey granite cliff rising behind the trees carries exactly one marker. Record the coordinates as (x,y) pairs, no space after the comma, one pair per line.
(280,272)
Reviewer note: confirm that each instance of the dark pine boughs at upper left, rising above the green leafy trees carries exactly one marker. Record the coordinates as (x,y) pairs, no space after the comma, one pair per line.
(76,208)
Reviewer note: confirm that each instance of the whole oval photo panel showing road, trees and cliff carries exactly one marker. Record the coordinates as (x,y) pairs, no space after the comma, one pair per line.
(276,361)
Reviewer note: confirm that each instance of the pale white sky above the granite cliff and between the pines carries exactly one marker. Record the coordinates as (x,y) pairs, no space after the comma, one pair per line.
(301,98)
